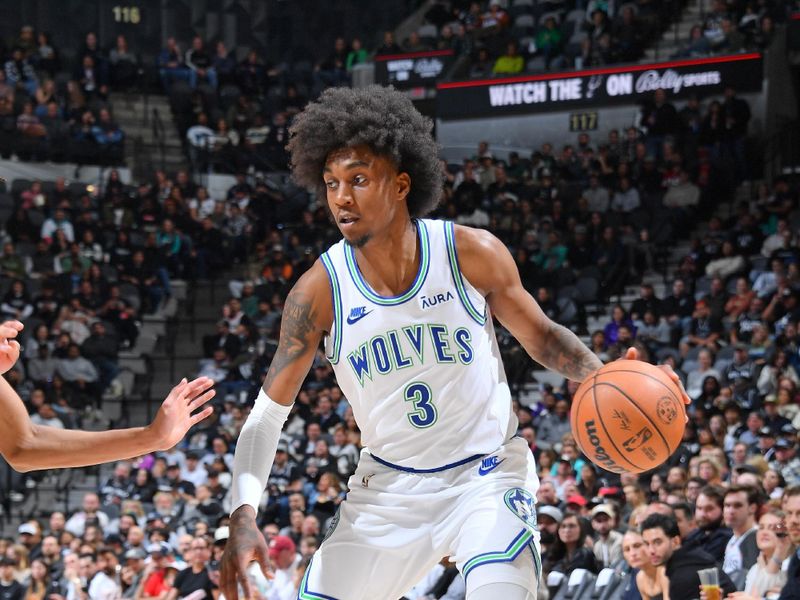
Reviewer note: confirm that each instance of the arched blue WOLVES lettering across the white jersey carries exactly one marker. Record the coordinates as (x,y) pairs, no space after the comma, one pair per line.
(395,349)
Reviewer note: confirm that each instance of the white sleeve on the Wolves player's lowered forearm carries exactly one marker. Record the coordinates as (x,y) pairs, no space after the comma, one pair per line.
(255,450)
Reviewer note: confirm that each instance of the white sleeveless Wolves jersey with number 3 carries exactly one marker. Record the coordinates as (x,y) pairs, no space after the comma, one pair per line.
(422,370)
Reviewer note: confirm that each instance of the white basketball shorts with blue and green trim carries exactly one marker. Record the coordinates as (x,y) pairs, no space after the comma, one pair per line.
(395,526)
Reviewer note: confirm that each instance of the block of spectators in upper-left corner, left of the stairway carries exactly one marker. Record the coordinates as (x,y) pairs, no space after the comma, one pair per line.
(56,111)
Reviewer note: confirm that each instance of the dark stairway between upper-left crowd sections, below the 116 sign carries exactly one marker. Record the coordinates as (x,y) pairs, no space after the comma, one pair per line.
(152,140)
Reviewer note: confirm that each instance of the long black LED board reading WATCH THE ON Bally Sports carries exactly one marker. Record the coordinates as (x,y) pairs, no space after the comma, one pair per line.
(597,87)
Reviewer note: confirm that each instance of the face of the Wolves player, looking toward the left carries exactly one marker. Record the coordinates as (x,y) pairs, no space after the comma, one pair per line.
(365,193)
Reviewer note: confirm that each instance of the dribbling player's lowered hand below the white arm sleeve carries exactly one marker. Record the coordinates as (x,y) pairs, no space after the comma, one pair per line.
(245,545)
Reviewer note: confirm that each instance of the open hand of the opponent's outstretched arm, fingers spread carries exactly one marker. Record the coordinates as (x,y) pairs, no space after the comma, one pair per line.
(175,416)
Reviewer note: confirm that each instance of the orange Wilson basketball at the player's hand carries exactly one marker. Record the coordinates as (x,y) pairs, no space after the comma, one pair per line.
(628,416)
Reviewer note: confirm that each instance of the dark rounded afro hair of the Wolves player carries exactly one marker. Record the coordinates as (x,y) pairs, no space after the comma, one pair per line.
(380,118)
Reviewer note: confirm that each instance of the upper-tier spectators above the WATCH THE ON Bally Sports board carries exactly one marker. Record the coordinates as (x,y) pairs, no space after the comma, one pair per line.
(502,38)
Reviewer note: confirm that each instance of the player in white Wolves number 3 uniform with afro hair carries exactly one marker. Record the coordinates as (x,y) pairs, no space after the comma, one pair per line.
(404,306)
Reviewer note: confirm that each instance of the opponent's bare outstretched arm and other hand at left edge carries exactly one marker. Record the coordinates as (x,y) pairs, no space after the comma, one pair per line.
(29,447)
